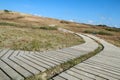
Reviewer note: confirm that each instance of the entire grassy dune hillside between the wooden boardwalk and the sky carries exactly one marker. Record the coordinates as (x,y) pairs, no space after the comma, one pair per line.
(29,32)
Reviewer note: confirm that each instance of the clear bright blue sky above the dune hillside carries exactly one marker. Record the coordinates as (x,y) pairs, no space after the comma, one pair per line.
(83,11)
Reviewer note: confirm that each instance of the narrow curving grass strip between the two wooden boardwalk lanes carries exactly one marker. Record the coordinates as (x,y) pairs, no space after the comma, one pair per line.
(54,71)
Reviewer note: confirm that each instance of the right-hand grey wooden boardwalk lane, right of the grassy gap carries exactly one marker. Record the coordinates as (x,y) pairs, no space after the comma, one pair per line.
(103,66)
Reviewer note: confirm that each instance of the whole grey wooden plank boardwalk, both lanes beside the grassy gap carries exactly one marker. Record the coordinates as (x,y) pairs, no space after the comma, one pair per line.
(17,64)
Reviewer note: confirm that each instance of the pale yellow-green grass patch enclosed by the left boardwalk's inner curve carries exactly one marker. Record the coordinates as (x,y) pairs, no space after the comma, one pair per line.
(35,39)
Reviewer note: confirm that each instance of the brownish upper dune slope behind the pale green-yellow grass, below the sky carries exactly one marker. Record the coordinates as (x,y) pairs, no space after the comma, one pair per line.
(28,21)
